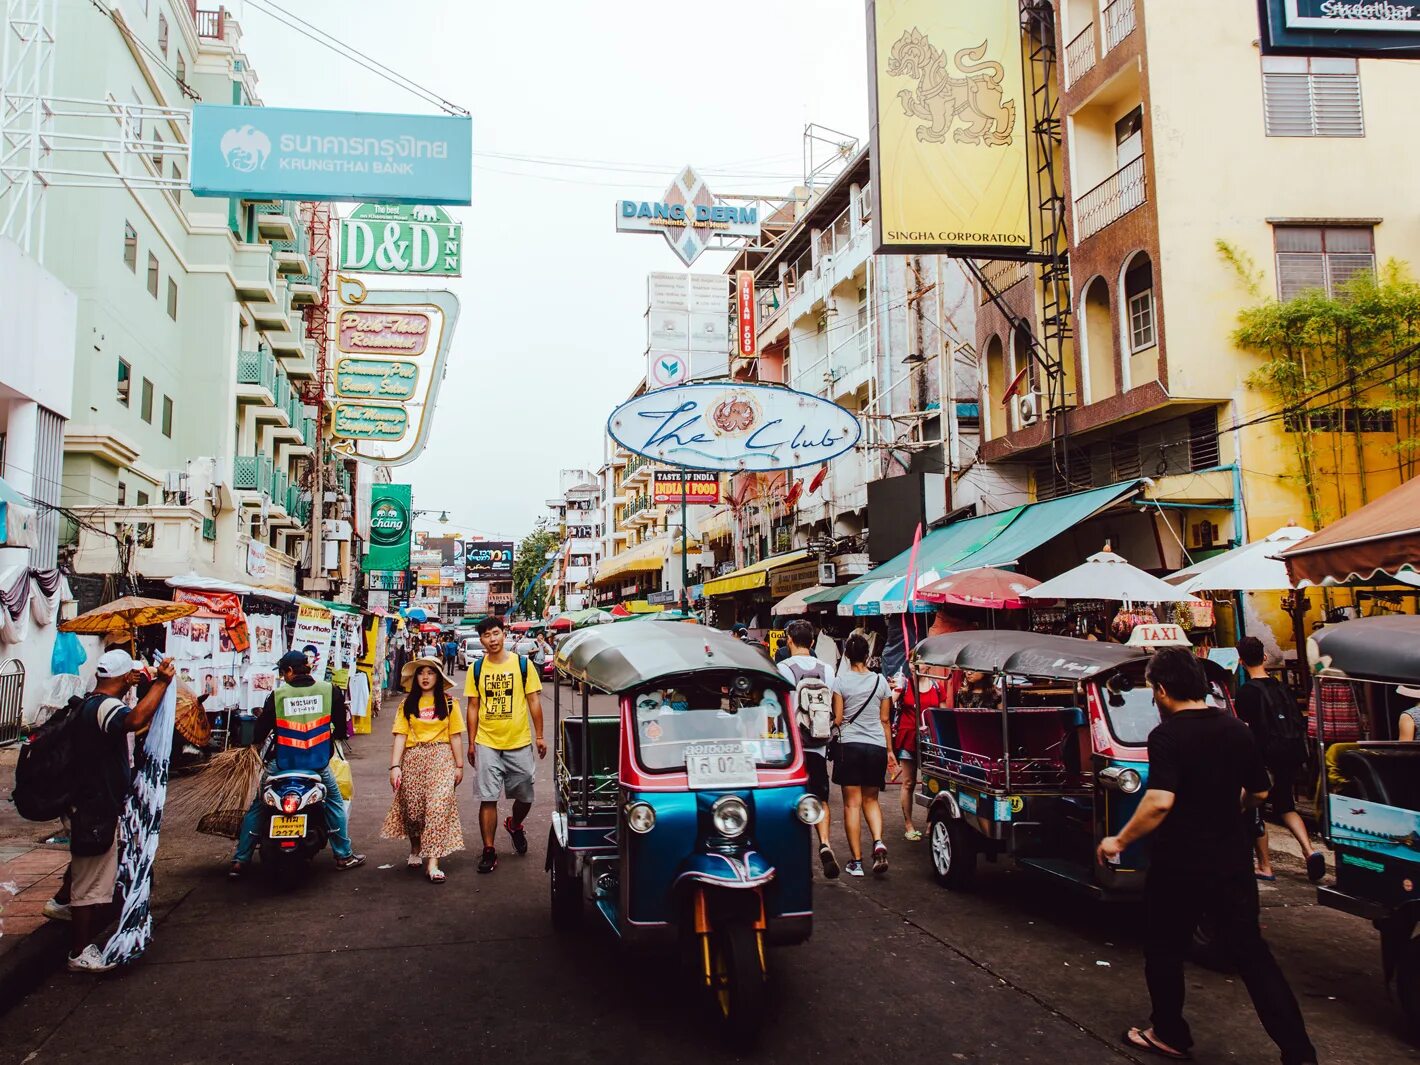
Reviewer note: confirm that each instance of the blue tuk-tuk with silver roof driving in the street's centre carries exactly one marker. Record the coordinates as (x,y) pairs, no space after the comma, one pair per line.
(685,819)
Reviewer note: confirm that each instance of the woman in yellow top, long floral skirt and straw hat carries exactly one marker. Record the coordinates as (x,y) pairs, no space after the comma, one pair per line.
(427,768)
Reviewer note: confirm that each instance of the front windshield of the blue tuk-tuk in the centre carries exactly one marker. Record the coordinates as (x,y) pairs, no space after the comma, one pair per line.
(672,719)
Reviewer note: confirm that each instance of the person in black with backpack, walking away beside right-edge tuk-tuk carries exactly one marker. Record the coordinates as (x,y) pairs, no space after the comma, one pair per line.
(1277,726)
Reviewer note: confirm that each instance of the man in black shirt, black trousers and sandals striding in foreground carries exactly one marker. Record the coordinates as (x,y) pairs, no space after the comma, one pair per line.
(1205,775)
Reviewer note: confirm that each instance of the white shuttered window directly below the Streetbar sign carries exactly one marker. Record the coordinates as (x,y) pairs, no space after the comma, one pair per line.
(1311,97)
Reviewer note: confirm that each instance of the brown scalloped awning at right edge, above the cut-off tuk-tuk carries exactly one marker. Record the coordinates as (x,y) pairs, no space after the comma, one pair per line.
(1380,540)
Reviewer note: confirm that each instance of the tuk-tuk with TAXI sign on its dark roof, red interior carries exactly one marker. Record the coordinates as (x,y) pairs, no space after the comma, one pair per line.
(1043,755)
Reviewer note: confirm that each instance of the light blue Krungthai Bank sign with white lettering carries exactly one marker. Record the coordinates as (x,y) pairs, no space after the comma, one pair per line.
(288,154)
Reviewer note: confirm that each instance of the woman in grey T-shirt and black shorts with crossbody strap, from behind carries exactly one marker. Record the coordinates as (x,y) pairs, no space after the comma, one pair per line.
(863,708)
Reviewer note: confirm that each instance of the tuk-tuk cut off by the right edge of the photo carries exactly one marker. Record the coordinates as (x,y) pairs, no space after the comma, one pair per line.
(1371,790)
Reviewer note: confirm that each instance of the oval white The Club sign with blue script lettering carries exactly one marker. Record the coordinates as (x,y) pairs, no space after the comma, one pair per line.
(716,427)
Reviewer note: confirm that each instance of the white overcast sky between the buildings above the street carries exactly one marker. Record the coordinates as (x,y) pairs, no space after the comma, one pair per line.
(552,334)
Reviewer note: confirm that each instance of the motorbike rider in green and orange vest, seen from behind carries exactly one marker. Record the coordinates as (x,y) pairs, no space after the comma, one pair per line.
(307,718)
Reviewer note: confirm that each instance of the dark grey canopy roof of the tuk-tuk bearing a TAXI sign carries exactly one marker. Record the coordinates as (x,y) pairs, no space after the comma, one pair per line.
(1025,654)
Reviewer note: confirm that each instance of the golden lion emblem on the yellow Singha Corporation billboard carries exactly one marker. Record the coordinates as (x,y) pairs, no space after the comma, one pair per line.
(941,100)
